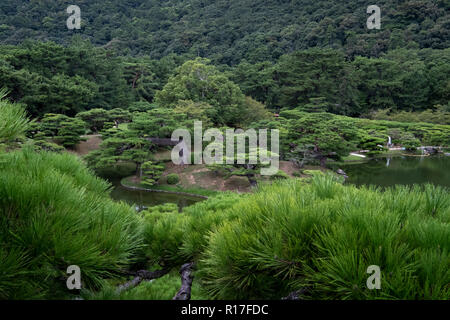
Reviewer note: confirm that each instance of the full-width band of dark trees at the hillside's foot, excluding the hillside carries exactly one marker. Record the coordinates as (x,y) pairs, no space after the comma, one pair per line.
(48,77)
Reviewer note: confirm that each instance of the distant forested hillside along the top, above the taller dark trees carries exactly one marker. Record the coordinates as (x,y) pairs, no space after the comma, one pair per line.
(229,31)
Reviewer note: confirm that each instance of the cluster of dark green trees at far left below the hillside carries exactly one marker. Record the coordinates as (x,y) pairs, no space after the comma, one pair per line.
(50,78)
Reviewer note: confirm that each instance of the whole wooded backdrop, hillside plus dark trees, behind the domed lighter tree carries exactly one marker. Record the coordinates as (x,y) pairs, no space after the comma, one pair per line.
(284,54)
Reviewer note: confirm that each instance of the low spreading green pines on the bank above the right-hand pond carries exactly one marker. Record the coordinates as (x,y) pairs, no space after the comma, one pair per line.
(315,137)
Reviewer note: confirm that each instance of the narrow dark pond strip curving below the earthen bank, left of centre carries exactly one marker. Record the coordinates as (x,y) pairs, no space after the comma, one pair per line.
(144,199)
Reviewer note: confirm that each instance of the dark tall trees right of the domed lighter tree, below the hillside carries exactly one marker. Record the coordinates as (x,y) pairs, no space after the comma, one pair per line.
(316,80)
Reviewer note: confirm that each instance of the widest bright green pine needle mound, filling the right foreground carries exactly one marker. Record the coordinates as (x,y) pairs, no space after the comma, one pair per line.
(321,237)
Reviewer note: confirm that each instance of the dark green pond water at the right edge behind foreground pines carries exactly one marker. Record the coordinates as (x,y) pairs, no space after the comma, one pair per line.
(406,170)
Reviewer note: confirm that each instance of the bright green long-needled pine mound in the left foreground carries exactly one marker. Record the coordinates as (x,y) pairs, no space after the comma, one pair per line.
(54,213)
